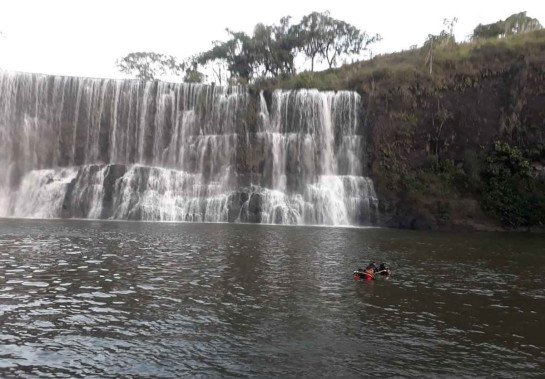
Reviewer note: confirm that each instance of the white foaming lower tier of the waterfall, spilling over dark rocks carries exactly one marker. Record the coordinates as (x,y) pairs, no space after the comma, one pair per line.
(158,194)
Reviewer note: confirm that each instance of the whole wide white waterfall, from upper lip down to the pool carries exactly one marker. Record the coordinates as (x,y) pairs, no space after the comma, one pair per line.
(126,149)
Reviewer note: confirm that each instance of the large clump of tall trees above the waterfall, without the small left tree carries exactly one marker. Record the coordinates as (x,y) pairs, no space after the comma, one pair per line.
(272,49)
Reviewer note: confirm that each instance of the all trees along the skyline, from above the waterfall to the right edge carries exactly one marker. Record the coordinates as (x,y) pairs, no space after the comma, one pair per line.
(271,50)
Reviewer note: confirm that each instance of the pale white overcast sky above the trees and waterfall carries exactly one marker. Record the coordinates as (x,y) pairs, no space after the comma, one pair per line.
(85,38)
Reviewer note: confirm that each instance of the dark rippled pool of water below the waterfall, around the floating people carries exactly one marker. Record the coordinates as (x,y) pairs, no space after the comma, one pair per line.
(86,298)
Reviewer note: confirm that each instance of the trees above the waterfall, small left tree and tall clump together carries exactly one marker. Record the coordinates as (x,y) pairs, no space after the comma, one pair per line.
(270,51)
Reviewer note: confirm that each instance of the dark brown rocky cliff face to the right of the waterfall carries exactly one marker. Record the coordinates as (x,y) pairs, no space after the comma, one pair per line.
(433,136)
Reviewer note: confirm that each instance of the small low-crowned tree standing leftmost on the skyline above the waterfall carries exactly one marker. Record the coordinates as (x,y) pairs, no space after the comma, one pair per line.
(148,65)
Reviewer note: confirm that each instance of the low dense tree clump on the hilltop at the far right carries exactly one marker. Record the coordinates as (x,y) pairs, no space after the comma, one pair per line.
(515,24)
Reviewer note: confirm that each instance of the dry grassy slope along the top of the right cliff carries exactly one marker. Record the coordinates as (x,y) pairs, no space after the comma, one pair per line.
(410,65)
